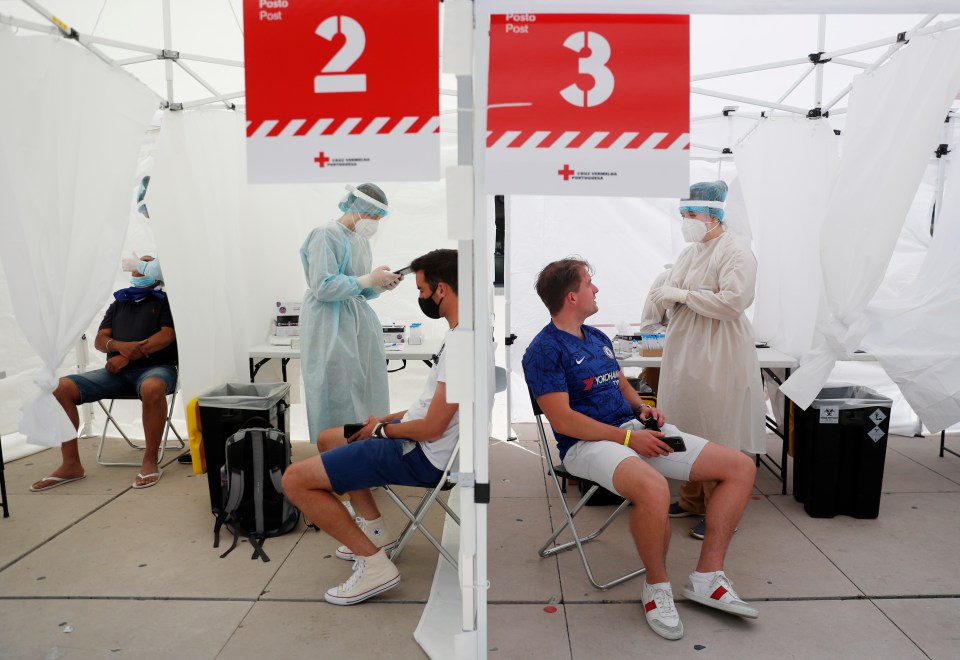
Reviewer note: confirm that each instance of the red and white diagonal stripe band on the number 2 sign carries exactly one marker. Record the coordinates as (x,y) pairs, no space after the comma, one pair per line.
(347,126)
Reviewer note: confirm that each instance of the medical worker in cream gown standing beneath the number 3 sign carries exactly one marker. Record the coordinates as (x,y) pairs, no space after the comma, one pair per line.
(710,381)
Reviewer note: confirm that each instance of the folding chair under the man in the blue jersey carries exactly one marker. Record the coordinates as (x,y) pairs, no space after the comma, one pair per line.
(551,547)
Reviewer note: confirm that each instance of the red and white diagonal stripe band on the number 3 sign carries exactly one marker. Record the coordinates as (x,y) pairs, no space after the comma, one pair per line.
(587,140)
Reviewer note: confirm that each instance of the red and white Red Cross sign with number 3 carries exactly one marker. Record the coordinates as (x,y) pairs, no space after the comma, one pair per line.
(588,104)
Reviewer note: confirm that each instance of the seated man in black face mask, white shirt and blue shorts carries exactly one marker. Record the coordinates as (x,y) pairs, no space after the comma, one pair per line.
(406,448)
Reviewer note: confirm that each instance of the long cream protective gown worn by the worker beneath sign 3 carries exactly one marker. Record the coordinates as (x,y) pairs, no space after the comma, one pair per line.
(710,382)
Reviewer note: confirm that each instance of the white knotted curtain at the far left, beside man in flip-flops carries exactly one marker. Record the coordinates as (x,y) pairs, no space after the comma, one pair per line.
(70,131)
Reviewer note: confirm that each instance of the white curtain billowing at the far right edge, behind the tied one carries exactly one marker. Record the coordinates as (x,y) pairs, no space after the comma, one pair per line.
(913,334)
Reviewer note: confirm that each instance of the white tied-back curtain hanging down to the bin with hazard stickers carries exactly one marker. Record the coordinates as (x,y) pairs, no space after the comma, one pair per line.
(894,117)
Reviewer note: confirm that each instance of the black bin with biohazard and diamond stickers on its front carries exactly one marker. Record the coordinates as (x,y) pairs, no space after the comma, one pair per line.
(840,443)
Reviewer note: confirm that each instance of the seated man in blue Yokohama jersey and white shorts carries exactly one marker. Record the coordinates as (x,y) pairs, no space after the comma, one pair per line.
(596,416)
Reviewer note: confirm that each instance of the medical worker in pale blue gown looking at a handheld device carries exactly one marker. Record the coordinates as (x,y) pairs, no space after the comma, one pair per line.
(341,339)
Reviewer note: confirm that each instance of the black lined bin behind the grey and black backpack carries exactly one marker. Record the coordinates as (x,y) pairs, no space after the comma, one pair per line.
(225,409)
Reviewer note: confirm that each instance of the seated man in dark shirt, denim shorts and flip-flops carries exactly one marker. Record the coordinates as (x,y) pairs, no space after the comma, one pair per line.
(138,337)
